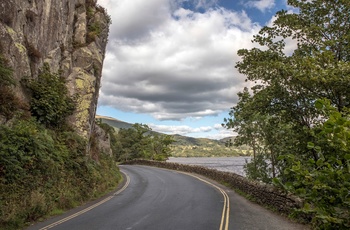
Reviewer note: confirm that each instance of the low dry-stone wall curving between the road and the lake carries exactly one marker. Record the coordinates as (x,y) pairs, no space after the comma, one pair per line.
(266,195)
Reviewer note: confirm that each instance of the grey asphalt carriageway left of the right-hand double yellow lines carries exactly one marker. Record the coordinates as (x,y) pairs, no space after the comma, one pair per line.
(154,199)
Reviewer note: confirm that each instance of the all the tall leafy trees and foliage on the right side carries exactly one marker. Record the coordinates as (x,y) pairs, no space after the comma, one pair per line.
(296,118)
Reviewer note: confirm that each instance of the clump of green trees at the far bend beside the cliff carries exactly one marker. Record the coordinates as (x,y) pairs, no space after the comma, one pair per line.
(140,142)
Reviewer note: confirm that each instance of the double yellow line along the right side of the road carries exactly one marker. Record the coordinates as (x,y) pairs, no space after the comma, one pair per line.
(225,217)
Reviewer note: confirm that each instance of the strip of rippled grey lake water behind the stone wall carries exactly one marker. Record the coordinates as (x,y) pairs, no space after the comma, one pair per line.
(226,164)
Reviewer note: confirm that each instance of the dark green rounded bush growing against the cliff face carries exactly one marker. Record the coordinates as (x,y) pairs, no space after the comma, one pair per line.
(50,102)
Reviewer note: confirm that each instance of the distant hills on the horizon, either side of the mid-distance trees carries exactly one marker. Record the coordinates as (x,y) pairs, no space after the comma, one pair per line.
(189,146)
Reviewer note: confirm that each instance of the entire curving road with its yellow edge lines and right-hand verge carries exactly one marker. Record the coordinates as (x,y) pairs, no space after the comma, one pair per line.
(159,199)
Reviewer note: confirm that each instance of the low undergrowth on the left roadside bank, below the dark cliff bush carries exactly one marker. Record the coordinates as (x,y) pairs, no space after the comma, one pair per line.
(42,170)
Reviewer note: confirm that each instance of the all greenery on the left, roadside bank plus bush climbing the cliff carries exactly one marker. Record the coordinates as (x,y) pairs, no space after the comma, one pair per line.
(44,164)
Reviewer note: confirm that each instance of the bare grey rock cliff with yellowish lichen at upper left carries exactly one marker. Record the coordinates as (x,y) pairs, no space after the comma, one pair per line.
(70,35)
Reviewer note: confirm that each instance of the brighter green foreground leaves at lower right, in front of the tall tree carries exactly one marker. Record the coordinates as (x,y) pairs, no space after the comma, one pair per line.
(325,183)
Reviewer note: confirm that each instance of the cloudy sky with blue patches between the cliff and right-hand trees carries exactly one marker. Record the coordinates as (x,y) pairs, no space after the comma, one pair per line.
(170,64)
